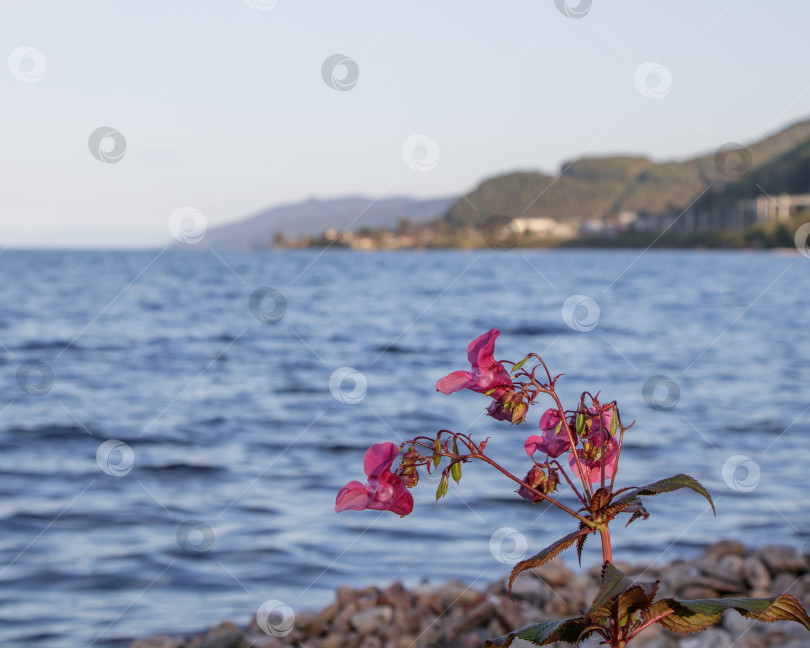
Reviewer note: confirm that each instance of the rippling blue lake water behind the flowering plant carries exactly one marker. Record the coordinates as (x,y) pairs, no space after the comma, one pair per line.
(234,442)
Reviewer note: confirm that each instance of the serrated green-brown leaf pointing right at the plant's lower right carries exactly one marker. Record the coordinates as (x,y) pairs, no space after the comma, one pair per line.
(690,616)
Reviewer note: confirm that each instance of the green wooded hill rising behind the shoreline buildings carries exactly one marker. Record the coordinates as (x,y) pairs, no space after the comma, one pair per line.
(601,188)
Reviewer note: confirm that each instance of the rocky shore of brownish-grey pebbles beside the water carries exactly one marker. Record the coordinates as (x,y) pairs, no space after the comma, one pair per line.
(454,615)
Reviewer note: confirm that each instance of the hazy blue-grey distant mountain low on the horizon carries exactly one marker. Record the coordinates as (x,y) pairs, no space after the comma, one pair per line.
(312,217)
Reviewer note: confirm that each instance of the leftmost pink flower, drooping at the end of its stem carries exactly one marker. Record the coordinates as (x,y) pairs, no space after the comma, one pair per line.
(384,490)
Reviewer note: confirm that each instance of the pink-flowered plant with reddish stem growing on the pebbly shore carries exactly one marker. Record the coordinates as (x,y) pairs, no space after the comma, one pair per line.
(591,433)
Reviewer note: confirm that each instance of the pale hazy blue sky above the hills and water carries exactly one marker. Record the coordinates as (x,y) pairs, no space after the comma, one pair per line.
(224,106)
